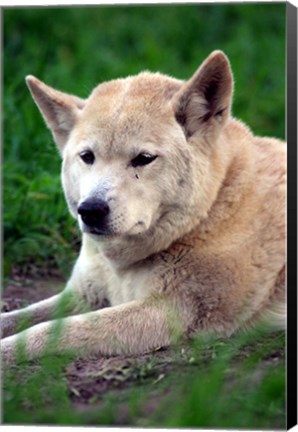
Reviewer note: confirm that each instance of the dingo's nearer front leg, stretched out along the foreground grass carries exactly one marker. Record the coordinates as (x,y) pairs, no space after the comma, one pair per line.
(133,328)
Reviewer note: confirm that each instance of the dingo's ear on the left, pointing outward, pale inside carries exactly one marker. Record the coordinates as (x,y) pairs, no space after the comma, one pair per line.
(59,110)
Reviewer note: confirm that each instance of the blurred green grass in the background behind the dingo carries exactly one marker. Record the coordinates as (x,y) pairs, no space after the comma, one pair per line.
(74,49)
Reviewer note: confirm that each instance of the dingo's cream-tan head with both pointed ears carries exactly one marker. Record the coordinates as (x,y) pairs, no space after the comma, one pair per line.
(136,153)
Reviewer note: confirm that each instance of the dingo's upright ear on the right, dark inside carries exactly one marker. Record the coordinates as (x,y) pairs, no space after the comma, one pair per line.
(203,103)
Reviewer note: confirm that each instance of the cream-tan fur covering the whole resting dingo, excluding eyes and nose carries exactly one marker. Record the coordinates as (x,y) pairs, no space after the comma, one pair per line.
(194,241)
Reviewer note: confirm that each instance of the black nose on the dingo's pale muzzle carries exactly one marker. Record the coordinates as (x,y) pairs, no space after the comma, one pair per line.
(94,213)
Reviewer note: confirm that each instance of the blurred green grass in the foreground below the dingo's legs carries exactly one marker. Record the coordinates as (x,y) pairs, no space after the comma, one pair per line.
(213,383)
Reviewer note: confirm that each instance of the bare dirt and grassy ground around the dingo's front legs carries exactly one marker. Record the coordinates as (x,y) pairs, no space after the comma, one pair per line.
(148,390)
